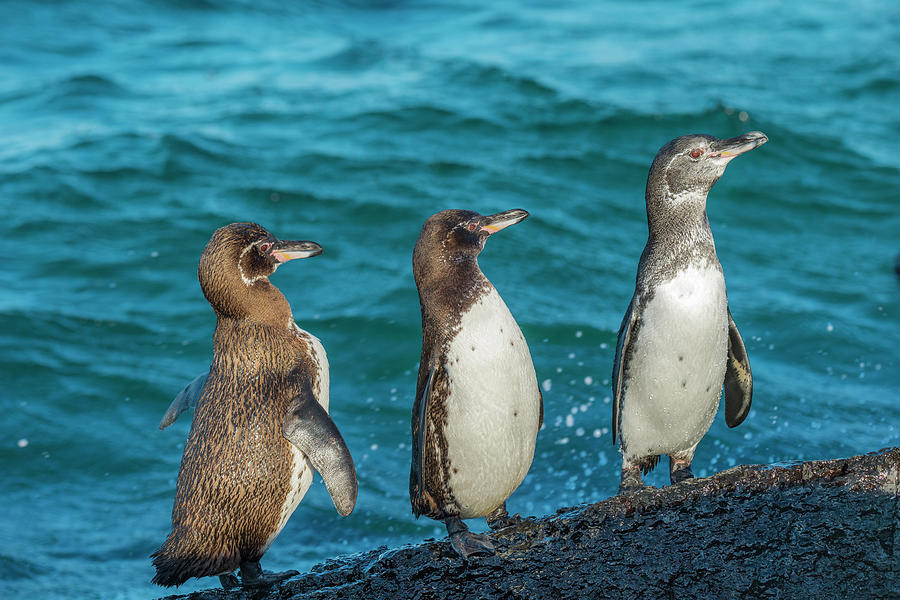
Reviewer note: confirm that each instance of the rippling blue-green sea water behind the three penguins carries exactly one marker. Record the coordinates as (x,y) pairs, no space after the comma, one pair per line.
(130,131)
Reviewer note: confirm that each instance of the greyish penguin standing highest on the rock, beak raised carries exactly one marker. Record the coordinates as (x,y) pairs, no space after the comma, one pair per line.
(678,344)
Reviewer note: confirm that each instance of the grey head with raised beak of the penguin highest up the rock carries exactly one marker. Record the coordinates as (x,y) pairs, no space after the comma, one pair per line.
(688,166)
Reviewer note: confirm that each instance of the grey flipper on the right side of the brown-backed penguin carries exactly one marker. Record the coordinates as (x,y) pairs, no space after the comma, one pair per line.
(309,427)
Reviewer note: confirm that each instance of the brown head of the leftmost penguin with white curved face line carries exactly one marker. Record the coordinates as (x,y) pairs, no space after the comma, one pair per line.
(235,266)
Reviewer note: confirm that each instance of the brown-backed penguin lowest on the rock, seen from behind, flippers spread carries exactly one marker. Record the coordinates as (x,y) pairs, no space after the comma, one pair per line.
(261,422)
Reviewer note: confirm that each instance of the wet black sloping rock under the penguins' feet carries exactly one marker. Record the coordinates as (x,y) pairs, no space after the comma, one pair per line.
(822,529)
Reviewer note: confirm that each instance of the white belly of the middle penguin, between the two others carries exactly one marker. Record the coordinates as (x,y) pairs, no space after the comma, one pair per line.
(492,409)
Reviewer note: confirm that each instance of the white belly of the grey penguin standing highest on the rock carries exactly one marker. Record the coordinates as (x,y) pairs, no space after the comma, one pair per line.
(677,368)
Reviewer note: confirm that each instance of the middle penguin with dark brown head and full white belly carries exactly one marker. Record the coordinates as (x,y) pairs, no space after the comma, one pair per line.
(478,406)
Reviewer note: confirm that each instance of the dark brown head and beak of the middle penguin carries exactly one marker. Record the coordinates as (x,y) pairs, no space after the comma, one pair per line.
(454,235)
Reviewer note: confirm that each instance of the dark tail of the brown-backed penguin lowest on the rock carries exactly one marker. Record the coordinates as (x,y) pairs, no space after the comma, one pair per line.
(187,554)
